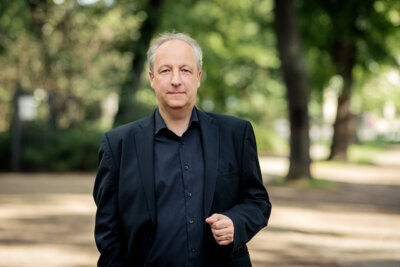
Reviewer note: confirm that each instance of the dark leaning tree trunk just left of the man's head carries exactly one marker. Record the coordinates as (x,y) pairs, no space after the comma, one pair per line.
(126,111)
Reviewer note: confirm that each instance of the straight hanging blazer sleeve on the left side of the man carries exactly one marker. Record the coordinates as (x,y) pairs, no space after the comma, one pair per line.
(105,193)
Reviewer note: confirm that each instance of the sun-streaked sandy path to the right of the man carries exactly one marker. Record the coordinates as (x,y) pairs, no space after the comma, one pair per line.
(355,222)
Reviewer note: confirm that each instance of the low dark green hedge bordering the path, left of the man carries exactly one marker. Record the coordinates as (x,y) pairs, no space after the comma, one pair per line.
(73,149)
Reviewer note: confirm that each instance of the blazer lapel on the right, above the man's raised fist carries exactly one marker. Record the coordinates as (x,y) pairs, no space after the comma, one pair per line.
(210,140)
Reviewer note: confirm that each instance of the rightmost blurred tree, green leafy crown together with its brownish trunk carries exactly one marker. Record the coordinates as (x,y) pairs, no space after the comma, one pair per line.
(344,35)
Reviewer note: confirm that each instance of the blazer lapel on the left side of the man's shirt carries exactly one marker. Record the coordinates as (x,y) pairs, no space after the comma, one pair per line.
(144,140)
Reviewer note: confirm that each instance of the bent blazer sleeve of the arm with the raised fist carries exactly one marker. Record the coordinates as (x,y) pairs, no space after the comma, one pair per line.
(251,214)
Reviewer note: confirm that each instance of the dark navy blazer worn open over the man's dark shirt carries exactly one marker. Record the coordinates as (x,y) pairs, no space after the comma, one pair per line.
(125,196)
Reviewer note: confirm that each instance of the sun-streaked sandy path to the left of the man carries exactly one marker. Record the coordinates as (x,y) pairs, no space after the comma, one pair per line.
(46,220)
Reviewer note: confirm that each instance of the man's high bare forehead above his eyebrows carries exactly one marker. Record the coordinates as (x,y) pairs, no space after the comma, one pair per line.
(175,51)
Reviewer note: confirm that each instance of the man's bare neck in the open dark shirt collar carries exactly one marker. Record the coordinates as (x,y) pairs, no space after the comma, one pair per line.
(176,120)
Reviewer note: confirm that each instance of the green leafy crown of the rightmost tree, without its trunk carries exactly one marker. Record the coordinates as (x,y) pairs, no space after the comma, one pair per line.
(373,27)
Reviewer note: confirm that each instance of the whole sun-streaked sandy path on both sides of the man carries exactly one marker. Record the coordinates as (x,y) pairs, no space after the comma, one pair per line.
(47,220)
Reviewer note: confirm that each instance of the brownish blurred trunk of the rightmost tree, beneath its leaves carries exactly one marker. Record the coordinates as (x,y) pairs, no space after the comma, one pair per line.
(344,58)
